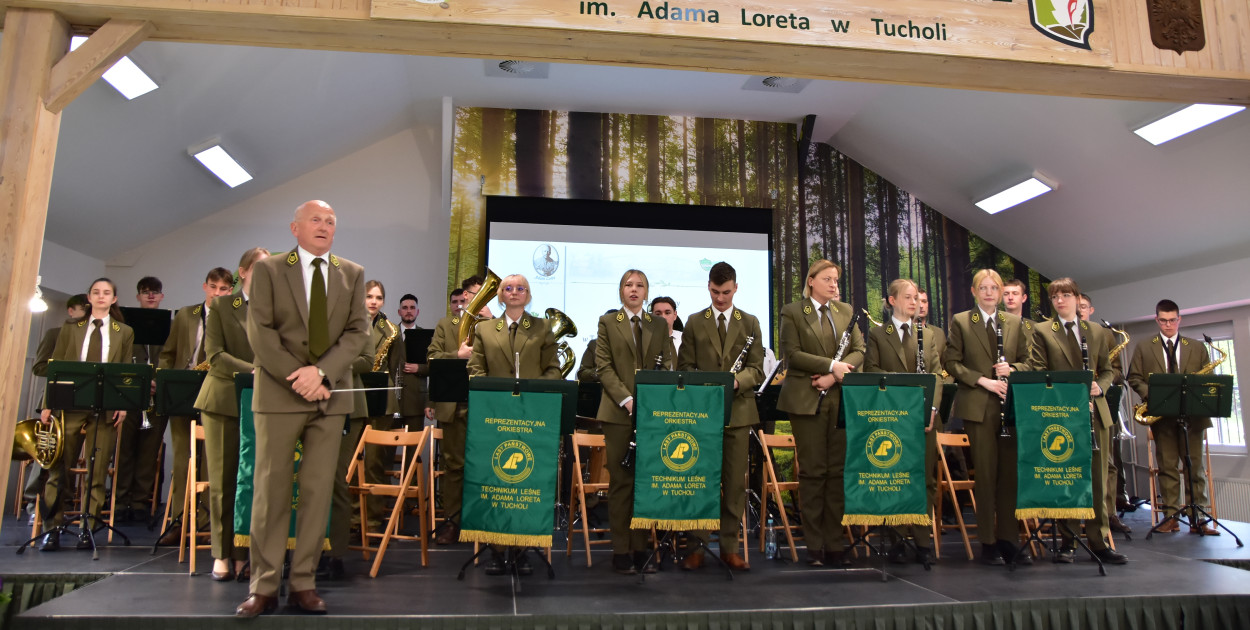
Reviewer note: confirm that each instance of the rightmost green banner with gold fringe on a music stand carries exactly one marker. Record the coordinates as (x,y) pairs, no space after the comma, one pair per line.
(1053,428)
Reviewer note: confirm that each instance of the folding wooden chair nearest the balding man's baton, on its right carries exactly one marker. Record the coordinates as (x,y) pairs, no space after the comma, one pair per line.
(413,484)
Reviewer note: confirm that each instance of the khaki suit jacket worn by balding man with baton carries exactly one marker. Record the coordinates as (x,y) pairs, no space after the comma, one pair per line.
(279,336)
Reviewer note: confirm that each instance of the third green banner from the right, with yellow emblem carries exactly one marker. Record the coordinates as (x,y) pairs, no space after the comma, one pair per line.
(681,437)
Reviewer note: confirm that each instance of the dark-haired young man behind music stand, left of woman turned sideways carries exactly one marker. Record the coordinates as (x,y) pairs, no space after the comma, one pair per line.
(186,351)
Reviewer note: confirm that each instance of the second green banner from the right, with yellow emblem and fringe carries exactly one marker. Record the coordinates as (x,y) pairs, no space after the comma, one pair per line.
(886,456)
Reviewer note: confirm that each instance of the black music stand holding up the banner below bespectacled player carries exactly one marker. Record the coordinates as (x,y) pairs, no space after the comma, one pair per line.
(568,392)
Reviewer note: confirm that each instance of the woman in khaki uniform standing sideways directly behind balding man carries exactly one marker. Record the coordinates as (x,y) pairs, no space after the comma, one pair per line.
(226,342)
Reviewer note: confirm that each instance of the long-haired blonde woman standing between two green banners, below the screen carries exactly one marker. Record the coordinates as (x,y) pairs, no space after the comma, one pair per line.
(629,341)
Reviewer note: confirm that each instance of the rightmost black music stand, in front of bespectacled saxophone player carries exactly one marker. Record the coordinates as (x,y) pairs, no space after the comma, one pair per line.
(1184,397)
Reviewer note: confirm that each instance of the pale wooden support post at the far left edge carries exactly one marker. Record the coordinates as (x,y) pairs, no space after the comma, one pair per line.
(34,41)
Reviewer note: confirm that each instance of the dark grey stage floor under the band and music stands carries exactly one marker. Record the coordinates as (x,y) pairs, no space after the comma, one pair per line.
(141,586)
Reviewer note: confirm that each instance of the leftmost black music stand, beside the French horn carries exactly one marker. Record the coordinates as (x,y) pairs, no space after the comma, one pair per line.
(96,388)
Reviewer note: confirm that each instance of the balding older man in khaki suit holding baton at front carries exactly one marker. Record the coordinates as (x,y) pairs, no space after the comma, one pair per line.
(307,323)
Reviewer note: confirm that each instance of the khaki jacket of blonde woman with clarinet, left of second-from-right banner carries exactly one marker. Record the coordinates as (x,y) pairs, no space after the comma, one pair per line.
(807,356)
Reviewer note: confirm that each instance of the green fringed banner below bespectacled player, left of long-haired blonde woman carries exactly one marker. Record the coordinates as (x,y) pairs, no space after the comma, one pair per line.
(512,453)
